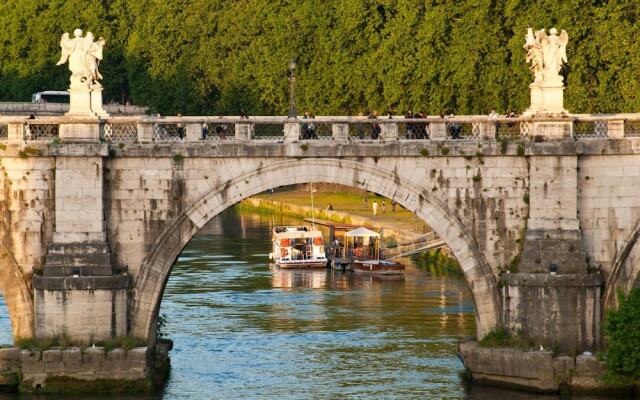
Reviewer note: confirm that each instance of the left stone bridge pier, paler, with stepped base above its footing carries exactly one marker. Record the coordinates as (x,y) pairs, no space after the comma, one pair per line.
(79,293)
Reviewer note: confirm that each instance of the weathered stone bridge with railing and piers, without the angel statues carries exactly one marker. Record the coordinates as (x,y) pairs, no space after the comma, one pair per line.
(543,214)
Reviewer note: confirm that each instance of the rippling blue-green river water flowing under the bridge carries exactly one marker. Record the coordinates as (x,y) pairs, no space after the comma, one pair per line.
(245,331)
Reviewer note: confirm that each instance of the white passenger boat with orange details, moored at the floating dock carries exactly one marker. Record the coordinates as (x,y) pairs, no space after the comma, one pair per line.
(298,247)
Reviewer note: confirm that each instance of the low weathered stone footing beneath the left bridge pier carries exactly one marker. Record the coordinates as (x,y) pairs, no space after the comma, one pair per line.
(65,369)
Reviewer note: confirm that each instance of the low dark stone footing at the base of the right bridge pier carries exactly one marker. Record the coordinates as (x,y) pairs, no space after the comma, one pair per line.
(535,370)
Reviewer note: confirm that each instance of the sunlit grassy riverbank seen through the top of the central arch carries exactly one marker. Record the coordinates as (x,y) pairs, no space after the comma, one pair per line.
(401,226)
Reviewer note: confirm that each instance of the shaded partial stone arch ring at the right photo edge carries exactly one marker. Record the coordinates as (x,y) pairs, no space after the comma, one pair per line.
(625,269)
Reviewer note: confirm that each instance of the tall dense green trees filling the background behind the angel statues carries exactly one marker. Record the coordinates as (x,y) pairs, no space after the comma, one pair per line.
(216,56)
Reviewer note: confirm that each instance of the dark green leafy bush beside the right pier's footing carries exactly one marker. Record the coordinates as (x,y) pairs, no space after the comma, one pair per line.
(622,331)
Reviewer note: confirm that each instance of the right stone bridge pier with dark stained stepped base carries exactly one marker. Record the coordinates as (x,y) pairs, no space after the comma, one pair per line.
(552,298)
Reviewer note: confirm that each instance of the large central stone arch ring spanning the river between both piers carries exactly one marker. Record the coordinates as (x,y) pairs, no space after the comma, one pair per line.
(156,267)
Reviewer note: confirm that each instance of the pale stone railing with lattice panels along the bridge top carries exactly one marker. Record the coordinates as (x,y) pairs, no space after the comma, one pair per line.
(338,129)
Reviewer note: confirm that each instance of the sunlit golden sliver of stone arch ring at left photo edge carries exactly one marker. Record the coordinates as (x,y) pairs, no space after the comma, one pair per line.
(17,294)
